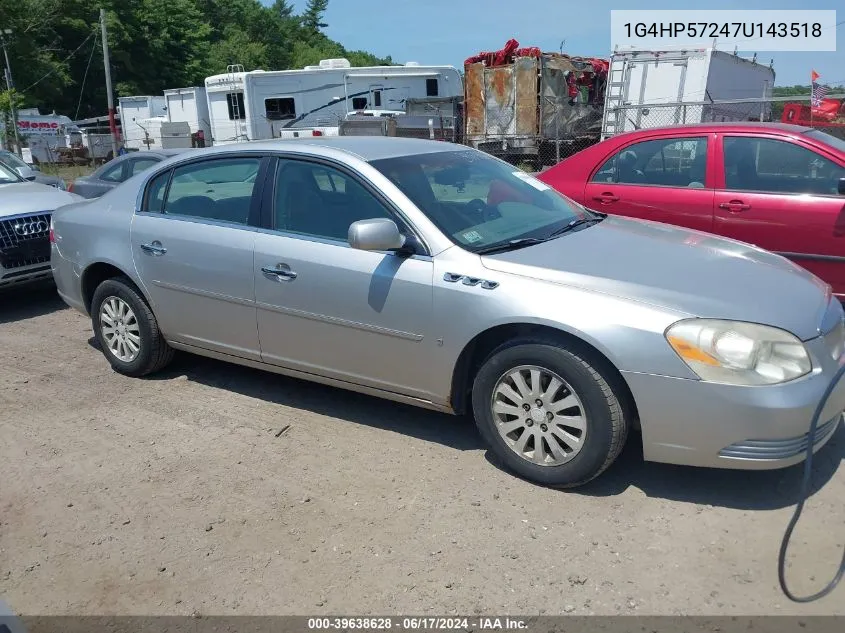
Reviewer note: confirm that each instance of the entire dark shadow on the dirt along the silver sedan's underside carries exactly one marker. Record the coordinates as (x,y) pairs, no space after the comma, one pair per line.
(754,490)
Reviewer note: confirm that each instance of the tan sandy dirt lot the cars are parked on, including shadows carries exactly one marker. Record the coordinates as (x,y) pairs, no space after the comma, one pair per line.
(175,495)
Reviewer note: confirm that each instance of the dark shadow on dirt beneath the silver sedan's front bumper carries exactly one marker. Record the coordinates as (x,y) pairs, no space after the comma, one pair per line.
(738,489)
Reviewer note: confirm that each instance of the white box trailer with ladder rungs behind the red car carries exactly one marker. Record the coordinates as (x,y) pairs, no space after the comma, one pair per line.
(651,88)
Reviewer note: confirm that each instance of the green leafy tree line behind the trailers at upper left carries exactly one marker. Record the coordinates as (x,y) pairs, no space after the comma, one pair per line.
(56,52)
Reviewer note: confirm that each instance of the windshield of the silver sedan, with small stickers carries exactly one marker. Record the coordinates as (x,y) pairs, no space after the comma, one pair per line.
(479,201)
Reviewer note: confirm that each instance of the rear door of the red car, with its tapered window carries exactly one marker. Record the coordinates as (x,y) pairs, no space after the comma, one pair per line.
(666,179)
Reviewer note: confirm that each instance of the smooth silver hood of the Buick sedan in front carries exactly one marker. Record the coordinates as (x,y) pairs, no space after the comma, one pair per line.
(678,269)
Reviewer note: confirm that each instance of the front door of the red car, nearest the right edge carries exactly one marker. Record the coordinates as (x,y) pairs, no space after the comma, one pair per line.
(781,193)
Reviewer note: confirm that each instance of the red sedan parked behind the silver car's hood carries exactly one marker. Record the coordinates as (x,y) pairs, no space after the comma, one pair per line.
(780,187)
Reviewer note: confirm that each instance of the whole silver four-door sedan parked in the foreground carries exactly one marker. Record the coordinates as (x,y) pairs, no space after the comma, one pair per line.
(435,275)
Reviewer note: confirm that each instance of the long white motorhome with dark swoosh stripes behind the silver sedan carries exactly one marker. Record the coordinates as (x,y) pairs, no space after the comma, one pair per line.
(314,100)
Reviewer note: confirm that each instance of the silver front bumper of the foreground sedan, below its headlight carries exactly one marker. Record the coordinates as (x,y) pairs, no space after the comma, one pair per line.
(695,423)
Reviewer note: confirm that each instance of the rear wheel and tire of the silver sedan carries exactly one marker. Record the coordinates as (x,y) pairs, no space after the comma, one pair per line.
(153,352)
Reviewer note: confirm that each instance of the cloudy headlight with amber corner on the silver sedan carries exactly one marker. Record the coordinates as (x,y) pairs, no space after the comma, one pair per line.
(739,353)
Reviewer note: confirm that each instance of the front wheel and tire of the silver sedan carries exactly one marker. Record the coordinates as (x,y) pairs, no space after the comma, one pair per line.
(599,407)
